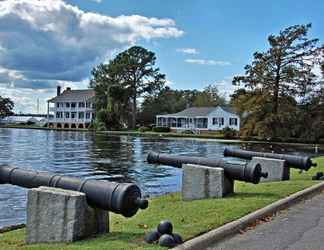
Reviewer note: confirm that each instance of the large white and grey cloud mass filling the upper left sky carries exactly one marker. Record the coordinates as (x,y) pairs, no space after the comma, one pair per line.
(44,42)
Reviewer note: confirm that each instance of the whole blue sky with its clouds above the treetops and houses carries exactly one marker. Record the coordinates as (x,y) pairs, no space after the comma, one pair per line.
(221,37)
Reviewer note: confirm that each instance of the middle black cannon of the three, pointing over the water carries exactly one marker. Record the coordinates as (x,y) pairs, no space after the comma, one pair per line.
(236,171)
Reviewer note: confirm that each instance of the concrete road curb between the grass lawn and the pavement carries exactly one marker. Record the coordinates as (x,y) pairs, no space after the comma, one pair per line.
(205,240)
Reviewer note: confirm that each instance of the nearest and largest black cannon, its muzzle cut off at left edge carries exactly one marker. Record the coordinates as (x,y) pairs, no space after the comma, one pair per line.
(120,198)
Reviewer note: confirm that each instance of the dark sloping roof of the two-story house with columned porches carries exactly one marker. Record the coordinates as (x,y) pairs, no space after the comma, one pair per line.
(74,95)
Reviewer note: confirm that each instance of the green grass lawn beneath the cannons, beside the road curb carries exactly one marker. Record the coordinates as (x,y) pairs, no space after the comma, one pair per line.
(189,218)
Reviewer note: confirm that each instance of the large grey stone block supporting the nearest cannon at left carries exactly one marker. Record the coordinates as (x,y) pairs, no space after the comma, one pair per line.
(58,215)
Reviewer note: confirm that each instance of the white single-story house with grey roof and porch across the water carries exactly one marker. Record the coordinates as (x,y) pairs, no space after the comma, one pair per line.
(200,119)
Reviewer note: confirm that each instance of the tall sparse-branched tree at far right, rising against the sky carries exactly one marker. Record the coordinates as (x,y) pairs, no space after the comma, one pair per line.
(285,69)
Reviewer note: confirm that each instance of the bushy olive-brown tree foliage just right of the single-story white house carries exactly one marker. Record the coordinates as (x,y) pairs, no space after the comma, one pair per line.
(255,109)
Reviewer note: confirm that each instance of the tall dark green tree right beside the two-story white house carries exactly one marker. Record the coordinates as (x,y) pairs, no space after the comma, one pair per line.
(127,77)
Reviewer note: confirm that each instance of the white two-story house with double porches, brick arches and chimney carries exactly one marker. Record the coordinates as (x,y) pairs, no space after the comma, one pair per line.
(71,108)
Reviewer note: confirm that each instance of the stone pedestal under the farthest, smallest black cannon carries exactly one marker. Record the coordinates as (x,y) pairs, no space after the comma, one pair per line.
(277,170)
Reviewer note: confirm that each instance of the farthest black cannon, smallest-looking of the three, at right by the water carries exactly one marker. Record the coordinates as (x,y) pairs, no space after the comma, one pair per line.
(294,161)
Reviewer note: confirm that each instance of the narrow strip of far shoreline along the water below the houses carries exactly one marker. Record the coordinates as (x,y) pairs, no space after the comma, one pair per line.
(170,135)
